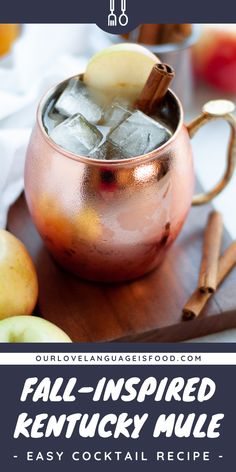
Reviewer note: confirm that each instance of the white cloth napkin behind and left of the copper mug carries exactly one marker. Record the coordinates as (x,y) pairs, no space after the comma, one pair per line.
(43,56)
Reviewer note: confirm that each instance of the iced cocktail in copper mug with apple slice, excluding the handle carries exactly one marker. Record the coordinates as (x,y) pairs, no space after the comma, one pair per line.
(107,184)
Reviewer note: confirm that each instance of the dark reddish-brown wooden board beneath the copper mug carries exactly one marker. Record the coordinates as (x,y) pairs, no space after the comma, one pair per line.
(91,312)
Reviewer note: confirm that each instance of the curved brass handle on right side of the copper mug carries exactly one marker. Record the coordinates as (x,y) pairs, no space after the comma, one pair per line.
(214,110)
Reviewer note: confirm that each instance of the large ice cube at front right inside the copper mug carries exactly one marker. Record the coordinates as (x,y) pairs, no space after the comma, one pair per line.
(139,134)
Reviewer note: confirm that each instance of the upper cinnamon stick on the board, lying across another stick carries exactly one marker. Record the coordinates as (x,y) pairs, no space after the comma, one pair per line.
(211,252)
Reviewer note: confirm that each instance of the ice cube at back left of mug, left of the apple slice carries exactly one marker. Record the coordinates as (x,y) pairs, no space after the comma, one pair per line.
(76,99)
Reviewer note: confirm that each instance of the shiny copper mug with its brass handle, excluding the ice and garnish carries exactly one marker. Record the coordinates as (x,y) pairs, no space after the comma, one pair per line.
(115,220)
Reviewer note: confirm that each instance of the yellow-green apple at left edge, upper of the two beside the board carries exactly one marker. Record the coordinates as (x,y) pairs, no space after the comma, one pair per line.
(18,279)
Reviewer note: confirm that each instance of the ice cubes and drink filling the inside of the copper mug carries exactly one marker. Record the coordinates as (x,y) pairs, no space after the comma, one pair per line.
(100,125)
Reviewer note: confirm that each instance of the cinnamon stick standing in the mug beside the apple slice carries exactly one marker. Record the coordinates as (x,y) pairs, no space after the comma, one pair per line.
(155,88)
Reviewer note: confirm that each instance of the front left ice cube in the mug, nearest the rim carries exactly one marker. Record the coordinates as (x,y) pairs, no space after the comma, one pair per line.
(77,135)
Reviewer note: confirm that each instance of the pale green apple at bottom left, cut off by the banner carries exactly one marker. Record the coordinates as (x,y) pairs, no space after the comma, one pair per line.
(30,329)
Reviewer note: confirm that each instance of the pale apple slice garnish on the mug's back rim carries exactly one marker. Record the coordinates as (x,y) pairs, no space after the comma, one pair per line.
(123,67)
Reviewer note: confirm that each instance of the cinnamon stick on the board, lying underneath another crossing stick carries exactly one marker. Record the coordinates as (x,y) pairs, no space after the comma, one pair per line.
(198,300)
